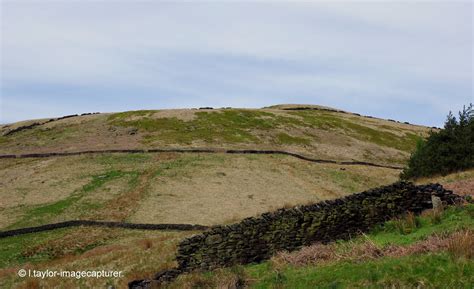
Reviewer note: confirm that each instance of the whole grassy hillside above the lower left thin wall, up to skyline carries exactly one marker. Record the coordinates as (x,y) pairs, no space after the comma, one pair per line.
(192,188)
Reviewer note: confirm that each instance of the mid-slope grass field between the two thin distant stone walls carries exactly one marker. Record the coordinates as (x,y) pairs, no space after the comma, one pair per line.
(170,188)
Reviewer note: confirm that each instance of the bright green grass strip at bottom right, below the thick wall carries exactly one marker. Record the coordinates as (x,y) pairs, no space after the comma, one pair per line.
(428,271)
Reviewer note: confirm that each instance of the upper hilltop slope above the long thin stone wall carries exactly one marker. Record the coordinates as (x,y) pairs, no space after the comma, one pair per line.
(315,131)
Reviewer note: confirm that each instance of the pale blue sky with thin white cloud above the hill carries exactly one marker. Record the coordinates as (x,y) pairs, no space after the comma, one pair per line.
(406,60)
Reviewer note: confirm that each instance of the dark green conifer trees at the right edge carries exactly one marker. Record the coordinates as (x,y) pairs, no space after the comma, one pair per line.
(448,150)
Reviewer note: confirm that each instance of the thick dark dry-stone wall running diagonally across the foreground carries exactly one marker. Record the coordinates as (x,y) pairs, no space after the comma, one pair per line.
(258,238)
